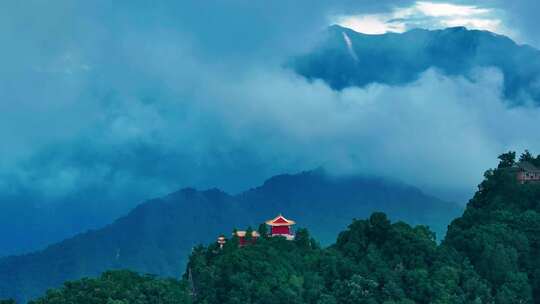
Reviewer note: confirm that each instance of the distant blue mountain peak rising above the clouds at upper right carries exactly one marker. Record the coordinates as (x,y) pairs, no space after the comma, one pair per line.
(346,58)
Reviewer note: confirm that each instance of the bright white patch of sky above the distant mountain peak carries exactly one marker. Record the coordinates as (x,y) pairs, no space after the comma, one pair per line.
(429,15)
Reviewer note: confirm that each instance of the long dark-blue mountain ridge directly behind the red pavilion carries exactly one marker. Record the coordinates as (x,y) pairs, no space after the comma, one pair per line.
(157,236)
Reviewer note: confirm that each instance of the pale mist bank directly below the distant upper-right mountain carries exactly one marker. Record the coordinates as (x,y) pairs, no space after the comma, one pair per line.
(447,124)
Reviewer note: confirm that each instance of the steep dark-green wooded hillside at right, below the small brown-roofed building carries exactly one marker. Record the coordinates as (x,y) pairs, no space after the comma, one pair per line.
(500,234)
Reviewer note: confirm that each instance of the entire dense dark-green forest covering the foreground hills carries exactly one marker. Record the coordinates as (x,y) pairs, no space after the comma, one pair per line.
(490,255)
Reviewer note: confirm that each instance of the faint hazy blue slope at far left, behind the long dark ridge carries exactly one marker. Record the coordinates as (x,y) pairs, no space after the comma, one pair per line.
(30,222)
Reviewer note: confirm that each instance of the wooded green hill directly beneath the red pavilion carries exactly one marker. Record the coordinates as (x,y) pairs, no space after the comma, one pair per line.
(373,261)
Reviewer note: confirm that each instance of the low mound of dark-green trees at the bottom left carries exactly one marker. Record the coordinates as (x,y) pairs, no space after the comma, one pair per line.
(118,287)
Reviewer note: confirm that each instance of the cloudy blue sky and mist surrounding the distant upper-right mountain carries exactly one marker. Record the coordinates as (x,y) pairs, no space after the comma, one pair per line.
(121,101)
